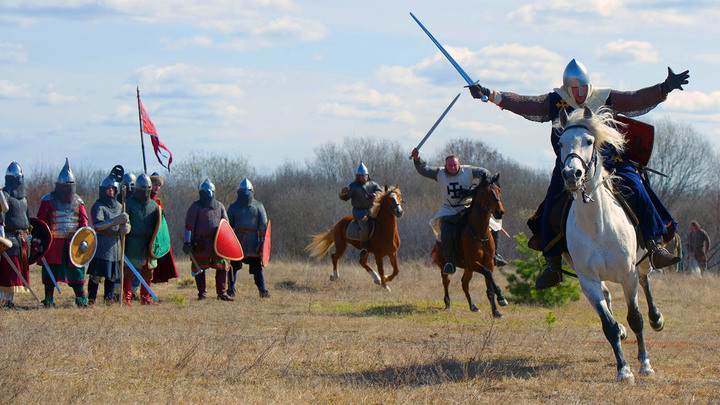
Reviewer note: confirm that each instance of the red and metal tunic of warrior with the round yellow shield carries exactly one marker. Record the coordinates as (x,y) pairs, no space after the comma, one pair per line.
(63,219)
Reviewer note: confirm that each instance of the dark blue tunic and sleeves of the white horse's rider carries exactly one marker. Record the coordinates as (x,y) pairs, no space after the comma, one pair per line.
(653,216)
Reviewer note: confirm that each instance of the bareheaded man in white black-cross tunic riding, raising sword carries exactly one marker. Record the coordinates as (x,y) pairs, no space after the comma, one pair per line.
(454,181)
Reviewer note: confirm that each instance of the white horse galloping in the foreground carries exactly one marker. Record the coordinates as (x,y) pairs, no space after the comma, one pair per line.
(601,240)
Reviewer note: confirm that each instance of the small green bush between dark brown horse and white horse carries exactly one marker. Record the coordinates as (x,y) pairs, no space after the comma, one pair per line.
(521,283)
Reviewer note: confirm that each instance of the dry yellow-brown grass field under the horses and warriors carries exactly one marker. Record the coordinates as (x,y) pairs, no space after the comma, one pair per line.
(317,341)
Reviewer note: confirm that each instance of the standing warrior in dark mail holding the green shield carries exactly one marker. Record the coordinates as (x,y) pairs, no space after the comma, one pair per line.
(144,216)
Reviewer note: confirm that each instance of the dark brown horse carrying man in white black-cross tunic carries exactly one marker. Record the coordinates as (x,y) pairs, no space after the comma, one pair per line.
(478,246)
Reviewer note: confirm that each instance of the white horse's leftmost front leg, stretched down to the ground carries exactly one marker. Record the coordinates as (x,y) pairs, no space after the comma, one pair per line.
(594,293)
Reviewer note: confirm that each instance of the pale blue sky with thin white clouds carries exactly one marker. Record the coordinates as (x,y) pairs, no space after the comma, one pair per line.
(270,80)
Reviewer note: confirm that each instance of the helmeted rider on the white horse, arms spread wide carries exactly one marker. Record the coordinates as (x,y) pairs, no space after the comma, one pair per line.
(577,92)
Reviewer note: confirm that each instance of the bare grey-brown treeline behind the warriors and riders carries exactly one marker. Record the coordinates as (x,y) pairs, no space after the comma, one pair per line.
(301,198)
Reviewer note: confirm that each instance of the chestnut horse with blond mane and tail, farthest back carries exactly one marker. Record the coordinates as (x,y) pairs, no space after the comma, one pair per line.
(384,240)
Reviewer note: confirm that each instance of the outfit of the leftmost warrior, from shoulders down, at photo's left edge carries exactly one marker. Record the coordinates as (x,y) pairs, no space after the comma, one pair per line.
(16,222)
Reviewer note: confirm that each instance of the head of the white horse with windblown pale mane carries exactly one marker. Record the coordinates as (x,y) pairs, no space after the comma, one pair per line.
(583,134)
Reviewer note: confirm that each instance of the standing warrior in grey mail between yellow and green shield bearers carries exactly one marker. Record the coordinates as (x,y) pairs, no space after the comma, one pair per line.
(109,223)
